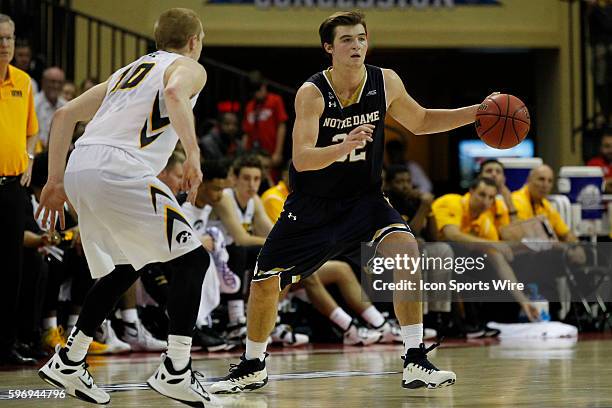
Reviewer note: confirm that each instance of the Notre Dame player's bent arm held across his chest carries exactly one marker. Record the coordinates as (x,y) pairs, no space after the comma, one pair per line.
(309,106)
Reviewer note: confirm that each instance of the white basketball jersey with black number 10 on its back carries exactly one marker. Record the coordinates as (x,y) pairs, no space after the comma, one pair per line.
(133,115)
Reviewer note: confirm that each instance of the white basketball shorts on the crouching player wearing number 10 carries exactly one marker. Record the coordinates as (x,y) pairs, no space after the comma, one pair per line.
(126,214)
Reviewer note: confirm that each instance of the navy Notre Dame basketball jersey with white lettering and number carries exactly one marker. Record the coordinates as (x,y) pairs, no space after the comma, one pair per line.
(359,172)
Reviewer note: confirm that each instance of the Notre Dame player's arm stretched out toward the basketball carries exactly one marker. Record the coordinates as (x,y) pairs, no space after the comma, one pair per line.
(403,108)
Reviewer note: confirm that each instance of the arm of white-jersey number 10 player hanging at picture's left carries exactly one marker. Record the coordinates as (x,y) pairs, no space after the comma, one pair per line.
(83,108)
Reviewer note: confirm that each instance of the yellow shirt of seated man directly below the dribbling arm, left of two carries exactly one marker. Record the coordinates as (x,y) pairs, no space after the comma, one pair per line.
(453,209)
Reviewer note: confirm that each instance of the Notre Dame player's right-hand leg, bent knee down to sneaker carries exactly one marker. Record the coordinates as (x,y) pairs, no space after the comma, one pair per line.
(418,371)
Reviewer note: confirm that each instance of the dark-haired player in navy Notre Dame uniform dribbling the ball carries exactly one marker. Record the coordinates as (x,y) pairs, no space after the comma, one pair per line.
(336,202)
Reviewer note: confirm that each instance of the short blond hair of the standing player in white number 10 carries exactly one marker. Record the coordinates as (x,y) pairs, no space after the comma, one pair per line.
(174,27)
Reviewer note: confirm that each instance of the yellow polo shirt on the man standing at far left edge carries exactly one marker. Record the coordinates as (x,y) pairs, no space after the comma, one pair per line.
(17,121)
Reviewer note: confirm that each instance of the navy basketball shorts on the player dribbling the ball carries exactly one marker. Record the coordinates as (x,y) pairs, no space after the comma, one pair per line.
(312,230)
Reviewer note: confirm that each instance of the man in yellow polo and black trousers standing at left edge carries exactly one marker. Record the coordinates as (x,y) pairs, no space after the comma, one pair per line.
(18,127)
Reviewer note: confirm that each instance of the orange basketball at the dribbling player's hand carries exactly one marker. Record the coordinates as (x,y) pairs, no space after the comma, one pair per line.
(502,121)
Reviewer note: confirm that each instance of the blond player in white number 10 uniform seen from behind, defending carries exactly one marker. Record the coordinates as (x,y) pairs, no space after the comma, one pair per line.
(128,217)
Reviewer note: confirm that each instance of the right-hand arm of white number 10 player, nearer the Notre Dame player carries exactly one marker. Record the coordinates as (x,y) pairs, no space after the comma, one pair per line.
(182,80)
